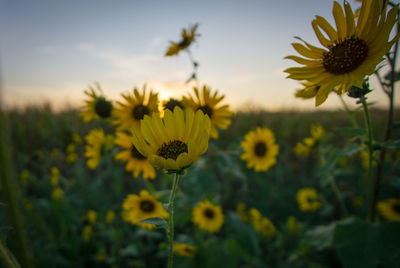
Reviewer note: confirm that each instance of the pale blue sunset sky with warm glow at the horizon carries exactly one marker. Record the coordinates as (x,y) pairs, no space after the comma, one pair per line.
(52,50)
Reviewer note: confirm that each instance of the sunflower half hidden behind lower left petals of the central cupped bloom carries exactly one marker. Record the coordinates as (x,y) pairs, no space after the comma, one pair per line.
(135,161)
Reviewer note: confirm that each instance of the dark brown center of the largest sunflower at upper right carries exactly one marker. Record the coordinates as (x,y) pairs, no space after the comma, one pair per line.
(345,56)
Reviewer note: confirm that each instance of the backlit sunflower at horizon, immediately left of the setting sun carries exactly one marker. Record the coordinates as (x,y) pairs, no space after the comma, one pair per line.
(135,107)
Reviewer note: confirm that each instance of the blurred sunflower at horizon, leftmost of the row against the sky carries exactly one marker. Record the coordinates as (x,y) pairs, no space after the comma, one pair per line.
(97,106)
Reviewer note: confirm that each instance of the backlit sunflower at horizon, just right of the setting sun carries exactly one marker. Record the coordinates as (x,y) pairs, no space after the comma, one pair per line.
(209,105)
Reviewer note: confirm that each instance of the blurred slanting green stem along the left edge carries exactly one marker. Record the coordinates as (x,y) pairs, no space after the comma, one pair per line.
(10,192)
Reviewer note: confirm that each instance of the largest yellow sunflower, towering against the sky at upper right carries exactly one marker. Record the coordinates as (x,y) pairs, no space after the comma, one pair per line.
(350,53)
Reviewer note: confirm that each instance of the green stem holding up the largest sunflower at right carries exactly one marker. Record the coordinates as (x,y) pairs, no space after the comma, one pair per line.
(370,151)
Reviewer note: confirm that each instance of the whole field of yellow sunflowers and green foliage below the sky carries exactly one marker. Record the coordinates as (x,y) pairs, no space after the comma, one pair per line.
(187,182)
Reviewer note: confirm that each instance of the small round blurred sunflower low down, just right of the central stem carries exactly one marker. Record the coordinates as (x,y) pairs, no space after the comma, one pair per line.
(208,217)
